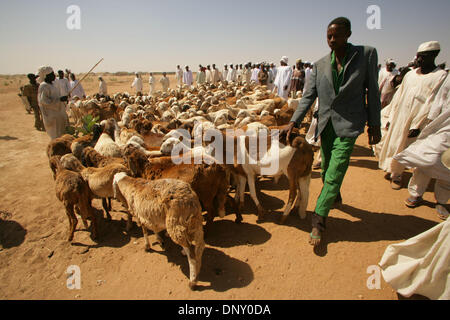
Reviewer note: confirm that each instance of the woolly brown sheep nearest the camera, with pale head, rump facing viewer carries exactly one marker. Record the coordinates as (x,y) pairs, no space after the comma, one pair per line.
(166,204)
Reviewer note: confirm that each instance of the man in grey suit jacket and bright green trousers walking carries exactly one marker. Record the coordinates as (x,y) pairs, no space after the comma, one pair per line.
(346,83)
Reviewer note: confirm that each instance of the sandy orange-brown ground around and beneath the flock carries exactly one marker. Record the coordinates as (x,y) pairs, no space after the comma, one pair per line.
(241,261)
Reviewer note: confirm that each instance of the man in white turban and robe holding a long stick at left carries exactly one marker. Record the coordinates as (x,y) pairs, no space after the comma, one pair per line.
(51,104)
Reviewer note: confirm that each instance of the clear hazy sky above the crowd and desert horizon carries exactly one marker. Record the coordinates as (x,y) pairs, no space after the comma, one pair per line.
(152,35)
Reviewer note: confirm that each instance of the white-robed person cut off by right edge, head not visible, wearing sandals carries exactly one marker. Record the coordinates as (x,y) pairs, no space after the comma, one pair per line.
(425,155)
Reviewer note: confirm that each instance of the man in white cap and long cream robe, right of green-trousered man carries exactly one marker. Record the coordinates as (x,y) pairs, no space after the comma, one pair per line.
(406,115)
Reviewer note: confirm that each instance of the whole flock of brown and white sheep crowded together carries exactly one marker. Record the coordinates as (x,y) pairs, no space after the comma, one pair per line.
(128,157)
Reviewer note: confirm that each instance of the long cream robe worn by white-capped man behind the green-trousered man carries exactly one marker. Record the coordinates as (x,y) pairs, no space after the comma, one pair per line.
(408,110)
